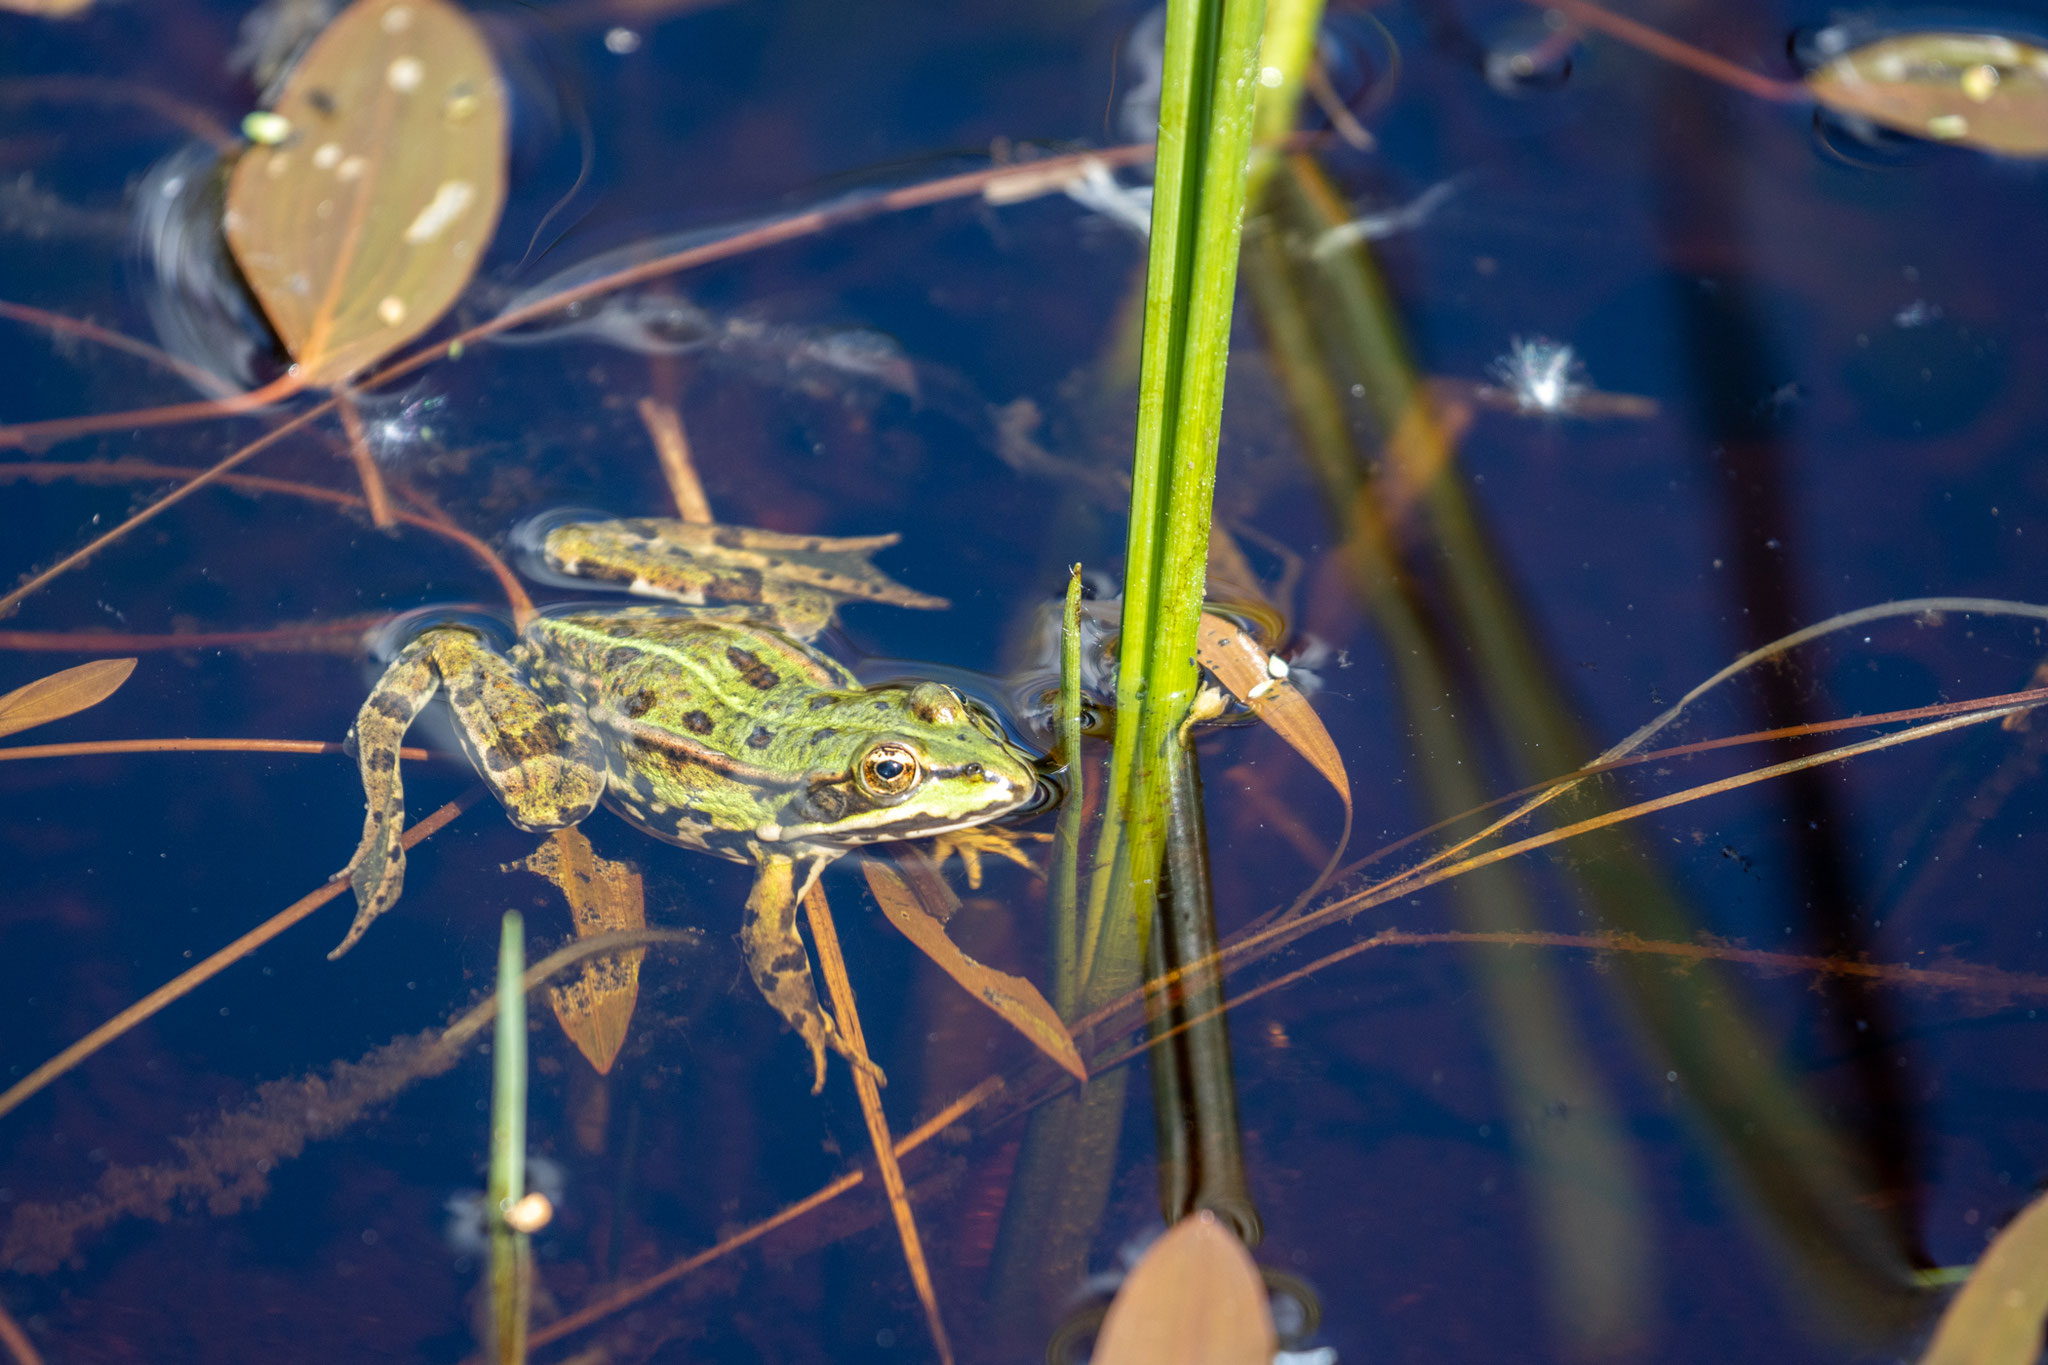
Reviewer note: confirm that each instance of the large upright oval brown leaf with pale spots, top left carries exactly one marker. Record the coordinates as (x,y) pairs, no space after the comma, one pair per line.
(378,185)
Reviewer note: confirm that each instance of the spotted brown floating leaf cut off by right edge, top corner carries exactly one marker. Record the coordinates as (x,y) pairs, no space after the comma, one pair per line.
(1973,89)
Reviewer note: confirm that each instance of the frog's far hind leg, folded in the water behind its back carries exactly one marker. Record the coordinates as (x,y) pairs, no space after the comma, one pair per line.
(802,578)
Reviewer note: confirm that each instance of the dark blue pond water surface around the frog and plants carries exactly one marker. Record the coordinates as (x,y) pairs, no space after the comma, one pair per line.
(1707,1084)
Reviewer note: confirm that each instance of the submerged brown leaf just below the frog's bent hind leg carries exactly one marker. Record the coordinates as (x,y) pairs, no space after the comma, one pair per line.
(605,897)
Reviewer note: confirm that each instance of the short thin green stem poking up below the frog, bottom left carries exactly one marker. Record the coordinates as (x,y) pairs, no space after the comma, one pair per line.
(511,1251)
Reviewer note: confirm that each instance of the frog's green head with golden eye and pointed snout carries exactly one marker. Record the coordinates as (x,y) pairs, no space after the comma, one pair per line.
(904,764)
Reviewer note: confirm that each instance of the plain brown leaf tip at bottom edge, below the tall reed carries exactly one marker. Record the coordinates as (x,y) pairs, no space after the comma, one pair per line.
(1195,1298)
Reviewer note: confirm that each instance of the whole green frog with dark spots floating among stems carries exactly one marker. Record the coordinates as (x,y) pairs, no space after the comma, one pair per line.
(716,728)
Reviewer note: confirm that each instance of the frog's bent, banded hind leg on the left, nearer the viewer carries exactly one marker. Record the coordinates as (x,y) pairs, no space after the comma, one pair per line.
(542,760)
